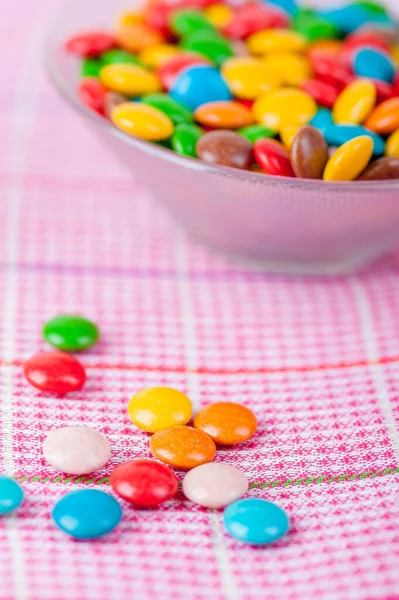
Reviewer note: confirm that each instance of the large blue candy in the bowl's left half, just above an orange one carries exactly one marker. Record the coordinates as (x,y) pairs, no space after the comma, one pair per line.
(199,84)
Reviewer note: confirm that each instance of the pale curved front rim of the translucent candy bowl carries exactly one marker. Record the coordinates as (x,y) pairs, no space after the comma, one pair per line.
(151,148)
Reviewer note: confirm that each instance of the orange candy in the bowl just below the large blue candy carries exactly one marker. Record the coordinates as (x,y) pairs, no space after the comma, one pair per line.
(224,115)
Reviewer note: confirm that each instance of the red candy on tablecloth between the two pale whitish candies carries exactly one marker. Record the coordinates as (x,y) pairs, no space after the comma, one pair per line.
(144,482)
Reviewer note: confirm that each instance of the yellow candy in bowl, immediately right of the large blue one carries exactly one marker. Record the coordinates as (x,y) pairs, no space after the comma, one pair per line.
(249,78)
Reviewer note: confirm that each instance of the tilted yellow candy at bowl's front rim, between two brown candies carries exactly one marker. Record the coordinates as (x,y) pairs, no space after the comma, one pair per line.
(349,160)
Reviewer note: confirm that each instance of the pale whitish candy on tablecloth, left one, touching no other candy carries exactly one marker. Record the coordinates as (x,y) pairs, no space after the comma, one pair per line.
(76,450)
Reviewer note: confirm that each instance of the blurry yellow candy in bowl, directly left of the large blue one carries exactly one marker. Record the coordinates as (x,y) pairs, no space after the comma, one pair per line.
(130,80)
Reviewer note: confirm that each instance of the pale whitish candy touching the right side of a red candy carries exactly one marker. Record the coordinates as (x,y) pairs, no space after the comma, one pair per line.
(214,485)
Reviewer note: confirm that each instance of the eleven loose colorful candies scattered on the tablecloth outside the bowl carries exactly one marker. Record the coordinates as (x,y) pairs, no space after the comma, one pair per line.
(164,412)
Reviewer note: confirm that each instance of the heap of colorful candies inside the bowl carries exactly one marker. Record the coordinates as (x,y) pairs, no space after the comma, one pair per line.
(263,86)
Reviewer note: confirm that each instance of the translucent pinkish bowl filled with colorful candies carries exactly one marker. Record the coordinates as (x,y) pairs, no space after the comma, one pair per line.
(269,130)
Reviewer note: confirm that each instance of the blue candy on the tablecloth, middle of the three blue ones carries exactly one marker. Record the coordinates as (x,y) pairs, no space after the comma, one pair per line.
(87,514)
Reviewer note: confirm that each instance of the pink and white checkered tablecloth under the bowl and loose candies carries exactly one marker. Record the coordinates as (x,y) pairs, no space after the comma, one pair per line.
(318,362)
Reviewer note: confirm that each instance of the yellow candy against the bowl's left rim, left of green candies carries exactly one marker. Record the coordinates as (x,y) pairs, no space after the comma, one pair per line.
(142,121)
